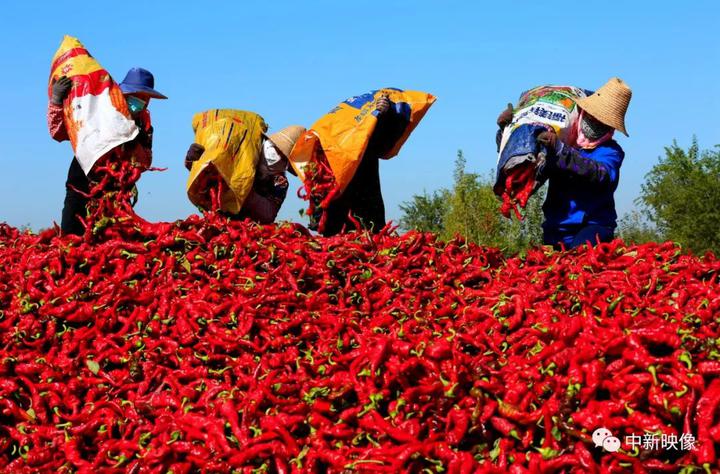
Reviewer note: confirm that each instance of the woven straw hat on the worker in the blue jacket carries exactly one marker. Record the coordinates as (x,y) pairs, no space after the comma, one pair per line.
(609,104)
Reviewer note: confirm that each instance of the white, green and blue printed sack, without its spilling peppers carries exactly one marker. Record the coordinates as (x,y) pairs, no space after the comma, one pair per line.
(538,109)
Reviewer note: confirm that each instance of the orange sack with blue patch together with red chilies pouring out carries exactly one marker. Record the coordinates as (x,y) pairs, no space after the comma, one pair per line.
(327,156)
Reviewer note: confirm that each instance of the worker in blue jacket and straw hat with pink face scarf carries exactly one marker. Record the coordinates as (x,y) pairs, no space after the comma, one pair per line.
(583,175)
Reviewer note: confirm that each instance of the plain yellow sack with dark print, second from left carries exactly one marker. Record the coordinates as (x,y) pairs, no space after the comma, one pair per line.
(232,140)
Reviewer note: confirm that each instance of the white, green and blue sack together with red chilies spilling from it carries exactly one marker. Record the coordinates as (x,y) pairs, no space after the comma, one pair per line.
(521,162)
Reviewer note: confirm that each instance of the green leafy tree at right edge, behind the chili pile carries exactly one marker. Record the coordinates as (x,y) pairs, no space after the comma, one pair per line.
(681,197)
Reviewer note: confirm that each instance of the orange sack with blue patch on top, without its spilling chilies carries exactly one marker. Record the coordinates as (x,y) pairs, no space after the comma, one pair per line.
(344,132)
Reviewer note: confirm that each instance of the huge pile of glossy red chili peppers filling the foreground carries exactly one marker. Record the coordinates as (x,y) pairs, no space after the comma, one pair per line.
(218,346)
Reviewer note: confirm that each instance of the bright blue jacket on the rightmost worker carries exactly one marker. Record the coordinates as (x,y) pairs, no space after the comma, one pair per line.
(581,186)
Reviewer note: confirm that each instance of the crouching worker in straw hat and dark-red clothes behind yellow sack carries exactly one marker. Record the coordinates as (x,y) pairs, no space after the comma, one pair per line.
(270,185)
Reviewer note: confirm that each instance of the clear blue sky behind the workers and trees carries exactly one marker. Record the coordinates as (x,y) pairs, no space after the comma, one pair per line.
(293,61)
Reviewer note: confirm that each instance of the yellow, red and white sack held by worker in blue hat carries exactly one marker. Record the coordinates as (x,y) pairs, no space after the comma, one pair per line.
(96,114)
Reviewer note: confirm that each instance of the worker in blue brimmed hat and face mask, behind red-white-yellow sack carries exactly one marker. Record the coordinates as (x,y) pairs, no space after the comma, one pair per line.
(138,89)
